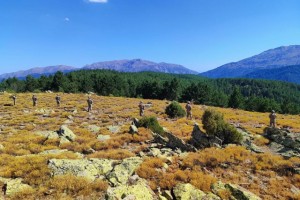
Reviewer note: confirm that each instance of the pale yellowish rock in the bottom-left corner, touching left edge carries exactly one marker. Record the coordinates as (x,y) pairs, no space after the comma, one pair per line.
(14,186)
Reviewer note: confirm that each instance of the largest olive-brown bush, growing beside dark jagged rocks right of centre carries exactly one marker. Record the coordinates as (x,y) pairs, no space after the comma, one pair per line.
(214,124)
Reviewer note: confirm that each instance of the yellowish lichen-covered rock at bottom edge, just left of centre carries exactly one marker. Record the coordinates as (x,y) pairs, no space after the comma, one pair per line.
(138,191)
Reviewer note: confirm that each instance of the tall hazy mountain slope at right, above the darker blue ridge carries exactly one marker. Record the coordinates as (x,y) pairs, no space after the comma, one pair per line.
(270,59)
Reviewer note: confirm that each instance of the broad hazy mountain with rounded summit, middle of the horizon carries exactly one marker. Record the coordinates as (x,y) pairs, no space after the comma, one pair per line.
(138,65)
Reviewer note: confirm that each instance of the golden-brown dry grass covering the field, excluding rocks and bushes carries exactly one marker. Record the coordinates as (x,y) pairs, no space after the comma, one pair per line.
(262,174)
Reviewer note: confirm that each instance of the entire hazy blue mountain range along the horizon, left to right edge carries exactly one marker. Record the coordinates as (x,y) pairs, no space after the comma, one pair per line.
(282,63)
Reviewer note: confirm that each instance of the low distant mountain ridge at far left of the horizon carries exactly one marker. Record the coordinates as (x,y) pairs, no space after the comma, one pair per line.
(38,71)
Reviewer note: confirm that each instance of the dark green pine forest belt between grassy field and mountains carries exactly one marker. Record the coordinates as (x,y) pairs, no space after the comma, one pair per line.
(248,94)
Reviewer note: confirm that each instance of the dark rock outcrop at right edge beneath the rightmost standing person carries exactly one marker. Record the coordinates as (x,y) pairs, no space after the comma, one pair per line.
(283,142)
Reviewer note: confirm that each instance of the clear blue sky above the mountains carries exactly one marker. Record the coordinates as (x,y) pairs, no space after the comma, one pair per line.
(199,34)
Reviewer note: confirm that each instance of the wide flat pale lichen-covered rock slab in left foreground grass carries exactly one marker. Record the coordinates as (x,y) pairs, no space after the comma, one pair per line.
(88,168)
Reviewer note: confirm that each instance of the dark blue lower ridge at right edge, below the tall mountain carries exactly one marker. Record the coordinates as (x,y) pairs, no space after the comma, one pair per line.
(289,74)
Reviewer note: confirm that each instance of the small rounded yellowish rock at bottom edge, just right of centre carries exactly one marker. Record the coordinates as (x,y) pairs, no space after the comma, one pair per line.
(187,192)
